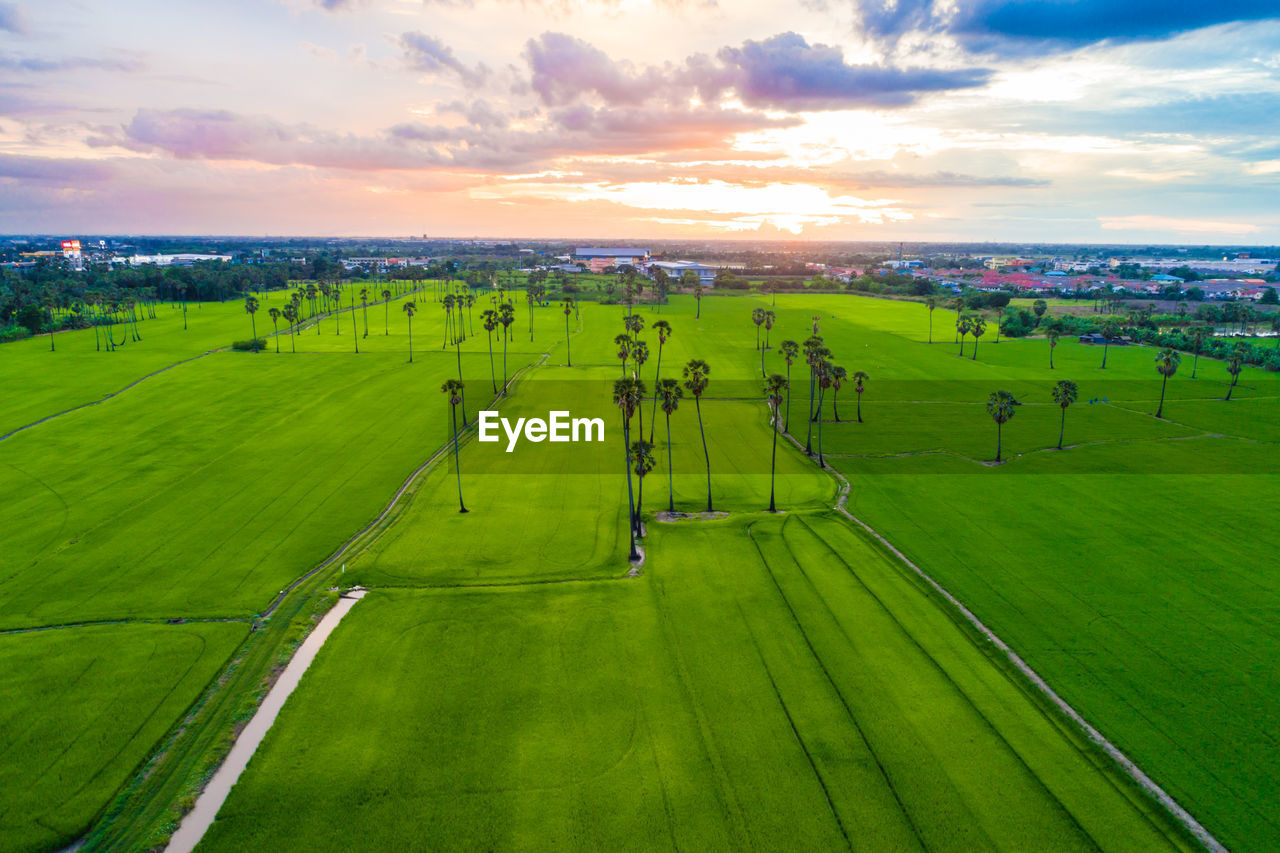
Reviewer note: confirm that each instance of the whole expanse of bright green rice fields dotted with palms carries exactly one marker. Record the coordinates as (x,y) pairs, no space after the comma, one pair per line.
(764,682)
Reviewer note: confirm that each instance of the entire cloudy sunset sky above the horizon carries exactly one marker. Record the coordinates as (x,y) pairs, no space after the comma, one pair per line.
(1057,121)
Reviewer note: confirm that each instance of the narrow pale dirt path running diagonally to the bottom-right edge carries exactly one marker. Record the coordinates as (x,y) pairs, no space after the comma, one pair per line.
(1131,769)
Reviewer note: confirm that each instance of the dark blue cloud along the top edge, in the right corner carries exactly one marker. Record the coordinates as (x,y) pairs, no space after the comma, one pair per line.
(1022,26)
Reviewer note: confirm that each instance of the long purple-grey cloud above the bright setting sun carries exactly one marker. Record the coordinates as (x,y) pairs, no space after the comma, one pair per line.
(783,72)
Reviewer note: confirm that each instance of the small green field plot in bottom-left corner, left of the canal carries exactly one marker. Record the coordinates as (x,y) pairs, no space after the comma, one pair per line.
(80,709)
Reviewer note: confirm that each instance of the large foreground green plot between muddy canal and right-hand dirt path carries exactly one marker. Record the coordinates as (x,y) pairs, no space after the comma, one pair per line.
(769,683)
